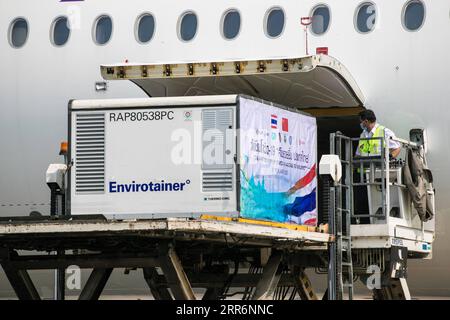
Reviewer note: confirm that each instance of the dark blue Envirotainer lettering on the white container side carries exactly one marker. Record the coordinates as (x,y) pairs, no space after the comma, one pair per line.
(161,186)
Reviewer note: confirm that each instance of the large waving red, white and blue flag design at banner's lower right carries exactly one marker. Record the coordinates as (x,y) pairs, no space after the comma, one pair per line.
(303,209)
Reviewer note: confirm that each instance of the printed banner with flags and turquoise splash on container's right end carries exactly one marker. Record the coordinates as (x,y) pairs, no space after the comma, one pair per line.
(278,164)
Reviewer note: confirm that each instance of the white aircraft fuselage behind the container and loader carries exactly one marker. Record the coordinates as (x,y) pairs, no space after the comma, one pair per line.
(402,74)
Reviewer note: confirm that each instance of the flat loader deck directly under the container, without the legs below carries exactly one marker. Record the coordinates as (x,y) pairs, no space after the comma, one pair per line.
(51,234)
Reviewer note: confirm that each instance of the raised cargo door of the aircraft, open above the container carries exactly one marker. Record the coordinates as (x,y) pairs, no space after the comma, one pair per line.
(318,81)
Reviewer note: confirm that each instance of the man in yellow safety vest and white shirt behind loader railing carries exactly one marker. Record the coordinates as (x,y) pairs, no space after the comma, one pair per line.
(371,129)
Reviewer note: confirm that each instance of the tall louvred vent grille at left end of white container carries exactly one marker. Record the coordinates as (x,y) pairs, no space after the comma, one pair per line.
(90,153)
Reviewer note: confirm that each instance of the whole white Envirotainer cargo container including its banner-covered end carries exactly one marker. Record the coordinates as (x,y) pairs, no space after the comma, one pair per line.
(228,155)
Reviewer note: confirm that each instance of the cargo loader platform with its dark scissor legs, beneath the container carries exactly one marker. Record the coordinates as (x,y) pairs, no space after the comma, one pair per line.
(179,254)
